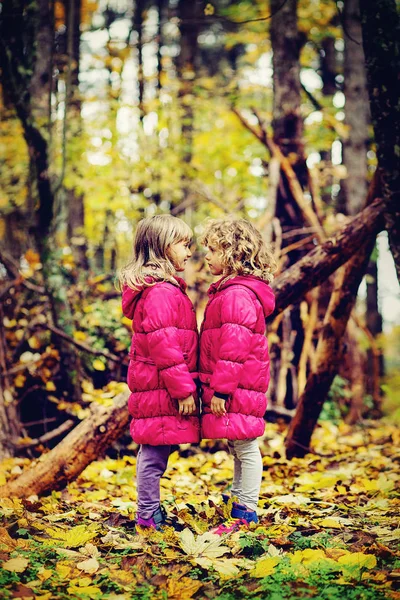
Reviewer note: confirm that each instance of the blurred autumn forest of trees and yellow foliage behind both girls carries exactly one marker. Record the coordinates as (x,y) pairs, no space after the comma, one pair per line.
(285,113)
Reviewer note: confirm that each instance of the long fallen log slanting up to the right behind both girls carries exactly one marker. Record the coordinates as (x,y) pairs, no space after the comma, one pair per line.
(104,426)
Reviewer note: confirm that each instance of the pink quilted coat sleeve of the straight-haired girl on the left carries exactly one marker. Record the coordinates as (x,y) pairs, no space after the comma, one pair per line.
(161,313)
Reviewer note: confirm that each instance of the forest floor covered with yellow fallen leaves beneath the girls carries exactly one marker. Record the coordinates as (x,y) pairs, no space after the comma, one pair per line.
(328,527)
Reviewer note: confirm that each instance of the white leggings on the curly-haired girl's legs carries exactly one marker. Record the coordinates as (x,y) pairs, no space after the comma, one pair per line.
(247,472)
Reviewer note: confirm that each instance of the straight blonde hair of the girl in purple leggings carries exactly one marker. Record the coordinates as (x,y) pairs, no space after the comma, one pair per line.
(153,236)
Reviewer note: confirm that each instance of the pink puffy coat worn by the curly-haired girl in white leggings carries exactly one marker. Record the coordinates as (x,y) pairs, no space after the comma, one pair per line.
(234,357)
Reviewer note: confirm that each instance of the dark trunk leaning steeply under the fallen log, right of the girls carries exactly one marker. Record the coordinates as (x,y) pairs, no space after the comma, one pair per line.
(329,353)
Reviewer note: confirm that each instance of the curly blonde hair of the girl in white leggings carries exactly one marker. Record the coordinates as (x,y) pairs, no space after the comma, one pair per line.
(243,250)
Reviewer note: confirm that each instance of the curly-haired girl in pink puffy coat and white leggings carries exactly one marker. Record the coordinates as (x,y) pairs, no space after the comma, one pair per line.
(234,360)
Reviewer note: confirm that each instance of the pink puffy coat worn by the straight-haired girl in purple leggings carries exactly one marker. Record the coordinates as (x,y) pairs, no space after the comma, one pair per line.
(163,363)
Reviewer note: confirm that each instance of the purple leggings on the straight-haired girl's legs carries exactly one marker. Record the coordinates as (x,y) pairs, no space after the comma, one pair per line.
(151,463)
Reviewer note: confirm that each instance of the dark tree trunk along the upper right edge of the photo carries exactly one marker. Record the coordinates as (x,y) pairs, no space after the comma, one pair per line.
(381,40)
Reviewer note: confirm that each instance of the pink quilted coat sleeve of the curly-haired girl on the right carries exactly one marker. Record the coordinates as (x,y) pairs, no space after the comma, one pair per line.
(238,317)
